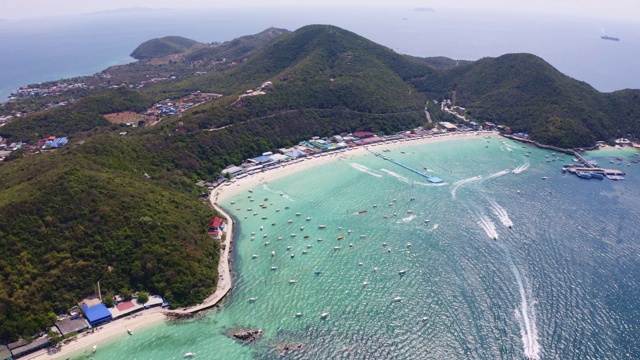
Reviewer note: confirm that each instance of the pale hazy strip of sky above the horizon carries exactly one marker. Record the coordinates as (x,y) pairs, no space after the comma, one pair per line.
(604,9)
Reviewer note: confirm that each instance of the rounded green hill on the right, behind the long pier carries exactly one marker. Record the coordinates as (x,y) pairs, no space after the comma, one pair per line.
(525,92)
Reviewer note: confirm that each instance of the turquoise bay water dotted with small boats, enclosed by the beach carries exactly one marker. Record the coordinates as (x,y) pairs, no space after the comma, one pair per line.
(509,265)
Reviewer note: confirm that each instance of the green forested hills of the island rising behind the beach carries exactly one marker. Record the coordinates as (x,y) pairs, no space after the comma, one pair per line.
(88,212)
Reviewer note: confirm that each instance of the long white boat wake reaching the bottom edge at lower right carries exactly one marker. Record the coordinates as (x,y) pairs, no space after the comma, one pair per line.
(526,317)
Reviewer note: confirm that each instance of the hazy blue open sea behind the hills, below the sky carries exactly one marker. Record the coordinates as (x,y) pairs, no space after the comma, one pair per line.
(57,47)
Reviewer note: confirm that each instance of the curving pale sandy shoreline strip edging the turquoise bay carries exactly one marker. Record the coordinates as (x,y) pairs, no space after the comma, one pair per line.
(150,317)
